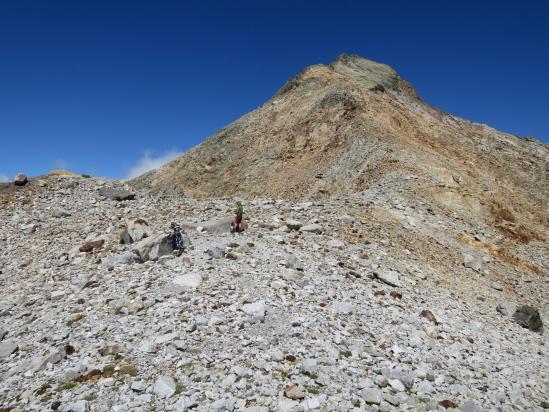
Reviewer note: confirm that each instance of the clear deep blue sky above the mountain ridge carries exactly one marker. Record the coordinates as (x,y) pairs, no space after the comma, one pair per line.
(92,85)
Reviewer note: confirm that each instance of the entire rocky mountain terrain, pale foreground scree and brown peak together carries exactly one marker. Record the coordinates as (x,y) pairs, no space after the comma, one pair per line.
(393,258)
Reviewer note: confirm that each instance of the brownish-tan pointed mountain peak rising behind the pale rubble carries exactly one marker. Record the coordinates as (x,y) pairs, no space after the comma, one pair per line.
(345,127)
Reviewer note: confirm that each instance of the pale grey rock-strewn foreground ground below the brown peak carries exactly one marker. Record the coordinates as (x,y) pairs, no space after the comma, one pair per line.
(365,302)
